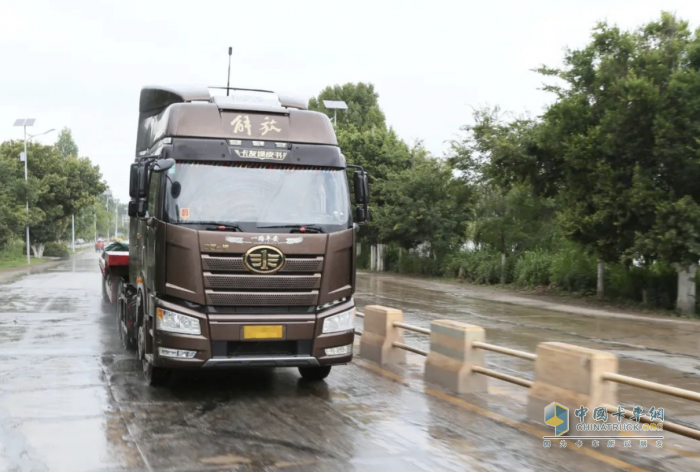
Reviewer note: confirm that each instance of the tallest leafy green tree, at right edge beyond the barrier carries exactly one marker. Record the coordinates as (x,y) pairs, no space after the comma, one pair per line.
(618,147)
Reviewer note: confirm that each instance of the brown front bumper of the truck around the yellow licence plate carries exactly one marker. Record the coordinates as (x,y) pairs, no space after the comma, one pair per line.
(222,334)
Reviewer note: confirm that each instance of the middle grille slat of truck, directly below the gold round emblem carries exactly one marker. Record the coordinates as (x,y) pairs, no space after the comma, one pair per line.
(258,282)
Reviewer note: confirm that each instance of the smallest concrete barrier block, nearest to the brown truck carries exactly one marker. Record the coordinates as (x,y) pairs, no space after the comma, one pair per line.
(379,335)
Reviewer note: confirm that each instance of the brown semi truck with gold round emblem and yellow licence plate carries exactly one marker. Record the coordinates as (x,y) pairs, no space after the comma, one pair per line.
(242,238)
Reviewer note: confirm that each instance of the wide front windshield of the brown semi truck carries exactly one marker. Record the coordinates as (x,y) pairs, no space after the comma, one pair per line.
(254,196)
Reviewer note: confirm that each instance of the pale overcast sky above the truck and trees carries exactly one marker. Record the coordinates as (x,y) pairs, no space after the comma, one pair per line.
(81,64)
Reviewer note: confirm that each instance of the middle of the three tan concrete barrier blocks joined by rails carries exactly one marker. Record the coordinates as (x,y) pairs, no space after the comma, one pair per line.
(452,356)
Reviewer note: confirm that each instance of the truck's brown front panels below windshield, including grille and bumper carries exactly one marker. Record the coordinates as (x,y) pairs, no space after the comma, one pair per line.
(207,268)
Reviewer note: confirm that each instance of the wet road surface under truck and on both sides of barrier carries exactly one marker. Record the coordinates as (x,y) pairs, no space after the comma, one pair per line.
(72,400)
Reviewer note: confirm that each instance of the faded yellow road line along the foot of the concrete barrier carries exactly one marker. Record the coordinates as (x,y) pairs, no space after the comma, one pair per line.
(535,431)
